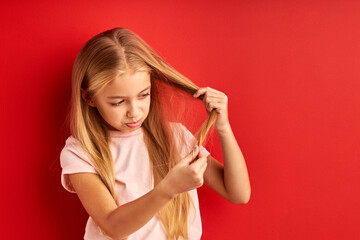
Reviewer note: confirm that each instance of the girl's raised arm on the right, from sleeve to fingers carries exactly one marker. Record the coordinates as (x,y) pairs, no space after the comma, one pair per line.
(230,180)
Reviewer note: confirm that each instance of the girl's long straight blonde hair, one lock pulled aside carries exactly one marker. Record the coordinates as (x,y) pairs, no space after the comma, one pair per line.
(99,61)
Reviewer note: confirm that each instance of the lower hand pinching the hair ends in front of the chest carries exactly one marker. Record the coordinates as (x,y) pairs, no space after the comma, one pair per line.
(188,174)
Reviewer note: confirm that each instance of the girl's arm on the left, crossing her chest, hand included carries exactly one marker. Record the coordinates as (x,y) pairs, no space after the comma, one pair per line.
(120,221)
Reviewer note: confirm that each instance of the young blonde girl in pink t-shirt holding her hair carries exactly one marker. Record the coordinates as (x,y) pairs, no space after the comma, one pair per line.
(134,171)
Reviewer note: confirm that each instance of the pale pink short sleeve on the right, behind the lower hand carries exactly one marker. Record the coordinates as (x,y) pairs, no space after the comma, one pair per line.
(186,145)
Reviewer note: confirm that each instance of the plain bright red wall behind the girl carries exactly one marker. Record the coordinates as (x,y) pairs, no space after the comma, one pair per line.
(289,68)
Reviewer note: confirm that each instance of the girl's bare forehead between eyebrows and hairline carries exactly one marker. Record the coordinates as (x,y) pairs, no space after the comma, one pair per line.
(128,84)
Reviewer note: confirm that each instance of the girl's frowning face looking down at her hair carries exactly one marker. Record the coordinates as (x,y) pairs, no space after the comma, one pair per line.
(125,102)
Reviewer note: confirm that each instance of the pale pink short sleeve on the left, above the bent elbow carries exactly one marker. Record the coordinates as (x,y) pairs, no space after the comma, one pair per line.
(73,160)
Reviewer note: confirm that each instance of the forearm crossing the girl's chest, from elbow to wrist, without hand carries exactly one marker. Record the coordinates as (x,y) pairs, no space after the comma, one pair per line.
(130,217)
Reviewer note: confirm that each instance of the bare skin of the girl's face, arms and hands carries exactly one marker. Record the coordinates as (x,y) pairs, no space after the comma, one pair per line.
(229,180)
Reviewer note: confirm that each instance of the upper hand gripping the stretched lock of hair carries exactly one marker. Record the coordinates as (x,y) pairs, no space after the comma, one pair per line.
(214,99)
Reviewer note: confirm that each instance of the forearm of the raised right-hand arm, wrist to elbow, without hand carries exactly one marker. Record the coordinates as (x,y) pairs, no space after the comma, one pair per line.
(236,178)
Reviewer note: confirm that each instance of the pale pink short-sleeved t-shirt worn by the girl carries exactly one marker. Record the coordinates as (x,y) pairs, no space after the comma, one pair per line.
(133,179)
